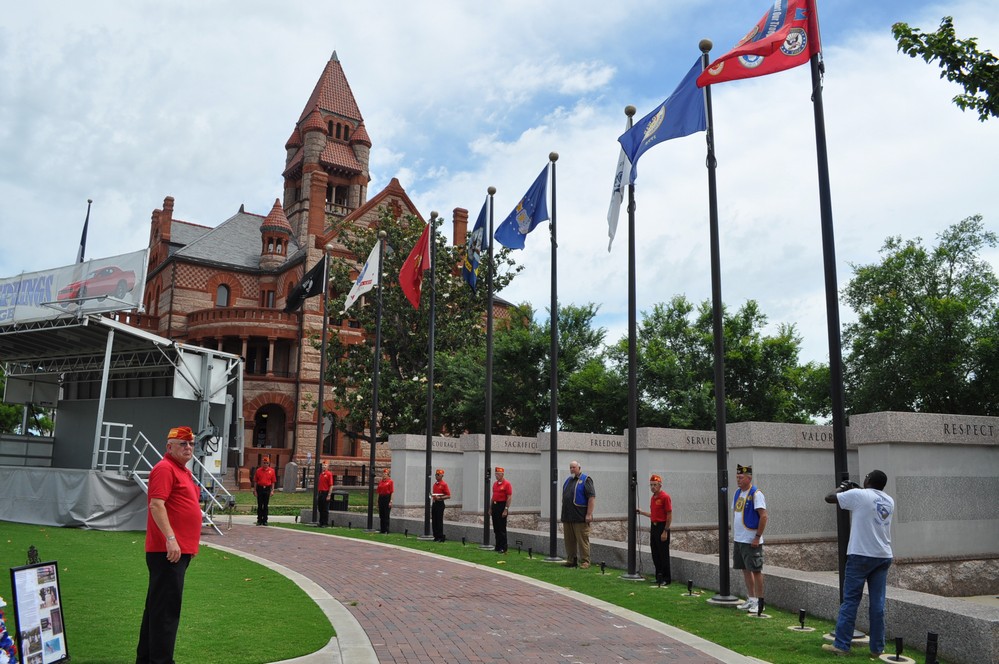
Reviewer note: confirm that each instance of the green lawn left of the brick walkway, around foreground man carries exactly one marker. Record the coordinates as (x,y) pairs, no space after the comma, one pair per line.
(233,609)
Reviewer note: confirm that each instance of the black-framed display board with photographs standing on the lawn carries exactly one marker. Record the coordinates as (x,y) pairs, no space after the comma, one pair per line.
(41,633)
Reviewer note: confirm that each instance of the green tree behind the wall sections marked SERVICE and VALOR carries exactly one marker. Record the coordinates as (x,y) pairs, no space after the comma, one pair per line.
(763,379)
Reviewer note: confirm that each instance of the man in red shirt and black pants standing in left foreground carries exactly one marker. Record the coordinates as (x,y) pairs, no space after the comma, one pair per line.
(173,533)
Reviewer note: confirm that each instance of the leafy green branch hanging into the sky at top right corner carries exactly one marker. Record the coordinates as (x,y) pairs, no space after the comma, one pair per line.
(961,61)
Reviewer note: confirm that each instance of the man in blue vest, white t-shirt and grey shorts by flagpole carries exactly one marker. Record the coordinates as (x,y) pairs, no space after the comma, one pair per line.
(749,520)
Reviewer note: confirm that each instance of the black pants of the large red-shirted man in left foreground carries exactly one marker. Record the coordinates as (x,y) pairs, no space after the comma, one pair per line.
(161,617)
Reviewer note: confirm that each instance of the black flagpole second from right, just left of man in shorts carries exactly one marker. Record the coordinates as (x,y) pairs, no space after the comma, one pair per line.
(724,590)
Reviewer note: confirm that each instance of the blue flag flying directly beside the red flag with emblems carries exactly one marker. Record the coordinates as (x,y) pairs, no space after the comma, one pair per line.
(681,114)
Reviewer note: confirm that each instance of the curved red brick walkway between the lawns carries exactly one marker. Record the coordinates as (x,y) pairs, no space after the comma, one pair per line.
(417,608)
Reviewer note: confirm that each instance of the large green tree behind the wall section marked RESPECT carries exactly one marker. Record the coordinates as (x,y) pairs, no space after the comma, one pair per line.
(926,334)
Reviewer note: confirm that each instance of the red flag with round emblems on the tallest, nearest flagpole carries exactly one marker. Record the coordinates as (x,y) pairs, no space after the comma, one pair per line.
(786,36)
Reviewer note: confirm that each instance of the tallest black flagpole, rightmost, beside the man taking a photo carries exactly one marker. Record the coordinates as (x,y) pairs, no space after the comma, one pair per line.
(832,297)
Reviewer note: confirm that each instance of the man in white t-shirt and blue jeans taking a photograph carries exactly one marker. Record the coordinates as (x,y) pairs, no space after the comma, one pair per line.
(868,557)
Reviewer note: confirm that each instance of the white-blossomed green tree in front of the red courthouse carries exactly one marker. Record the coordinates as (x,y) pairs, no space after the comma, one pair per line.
(403,369)
